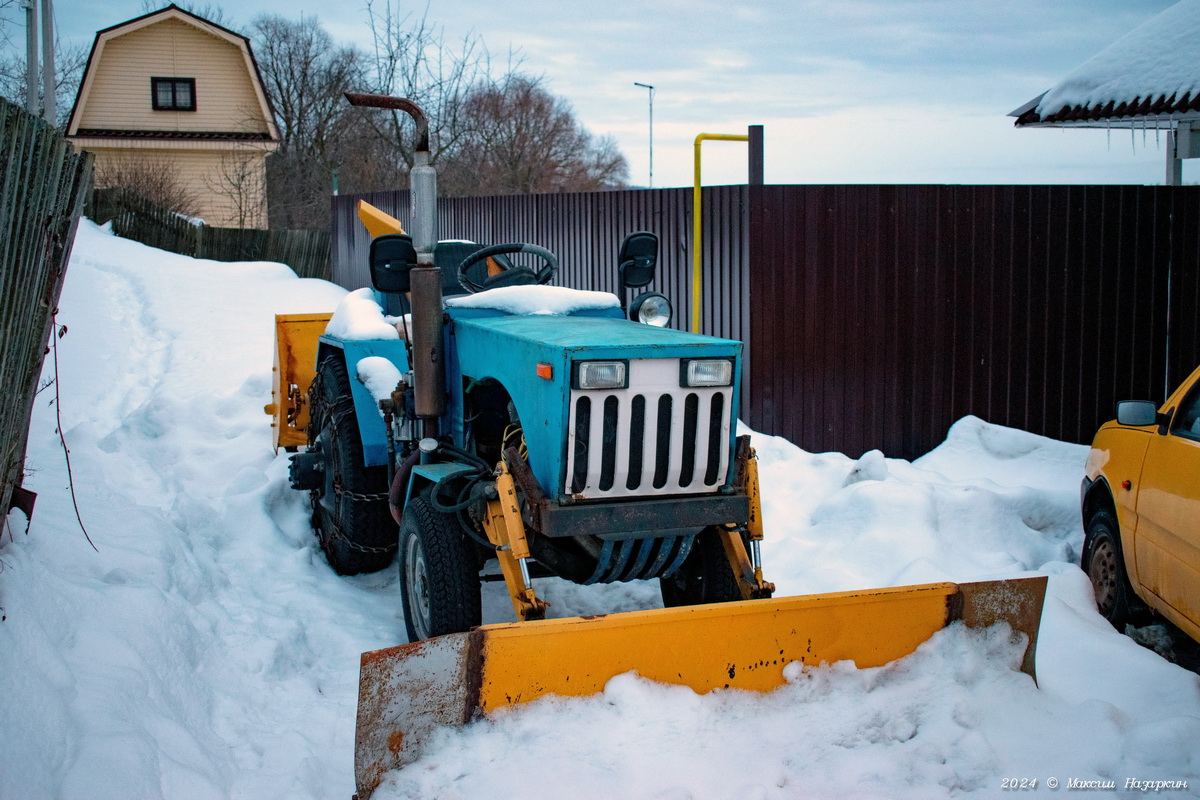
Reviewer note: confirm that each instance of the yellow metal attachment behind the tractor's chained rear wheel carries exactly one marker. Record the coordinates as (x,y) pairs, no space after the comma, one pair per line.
(296,363)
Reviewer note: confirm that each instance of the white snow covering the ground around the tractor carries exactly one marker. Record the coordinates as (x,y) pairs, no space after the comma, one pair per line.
(207,651)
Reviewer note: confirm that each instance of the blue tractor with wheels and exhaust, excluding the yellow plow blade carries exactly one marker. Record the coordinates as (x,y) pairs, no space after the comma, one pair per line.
(571,442)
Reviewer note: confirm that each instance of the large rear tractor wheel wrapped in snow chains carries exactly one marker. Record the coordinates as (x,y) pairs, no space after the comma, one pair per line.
(350,512)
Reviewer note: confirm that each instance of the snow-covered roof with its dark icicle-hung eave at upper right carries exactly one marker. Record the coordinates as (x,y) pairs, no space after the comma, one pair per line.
(1150,75)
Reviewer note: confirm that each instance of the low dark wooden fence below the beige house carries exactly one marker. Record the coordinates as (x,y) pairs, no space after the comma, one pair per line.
(304,251)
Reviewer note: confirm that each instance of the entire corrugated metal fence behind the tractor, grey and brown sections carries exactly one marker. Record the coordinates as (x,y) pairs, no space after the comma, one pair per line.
(884,314)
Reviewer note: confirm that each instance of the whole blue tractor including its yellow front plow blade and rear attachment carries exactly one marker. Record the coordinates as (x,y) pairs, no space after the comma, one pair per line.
(487,416)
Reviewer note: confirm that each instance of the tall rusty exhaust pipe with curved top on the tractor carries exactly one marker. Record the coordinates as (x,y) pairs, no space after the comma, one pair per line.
(429,357)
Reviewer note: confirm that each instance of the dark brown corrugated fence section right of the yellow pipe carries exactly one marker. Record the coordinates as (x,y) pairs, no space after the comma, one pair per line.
(889,312)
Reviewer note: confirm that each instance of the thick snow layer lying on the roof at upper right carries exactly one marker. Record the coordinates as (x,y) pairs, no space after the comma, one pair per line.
(1157,59)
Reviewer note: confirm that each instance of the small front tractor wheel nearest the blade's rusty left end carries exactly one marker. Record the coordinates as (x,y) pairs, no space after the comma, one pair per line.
(439,574)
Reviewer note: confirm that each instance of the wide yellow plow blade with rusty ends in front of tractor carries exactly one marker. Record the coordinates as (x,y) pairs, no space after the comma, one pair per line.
(409,691)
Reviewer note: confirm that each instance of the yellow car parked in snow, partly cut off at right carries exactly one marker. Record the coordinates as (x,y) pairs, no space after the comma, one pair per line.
(1142,512)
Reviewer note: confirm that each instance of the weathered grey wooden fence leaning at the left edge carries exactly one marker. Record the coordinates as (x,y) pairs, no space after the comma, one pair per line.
(43,187)
